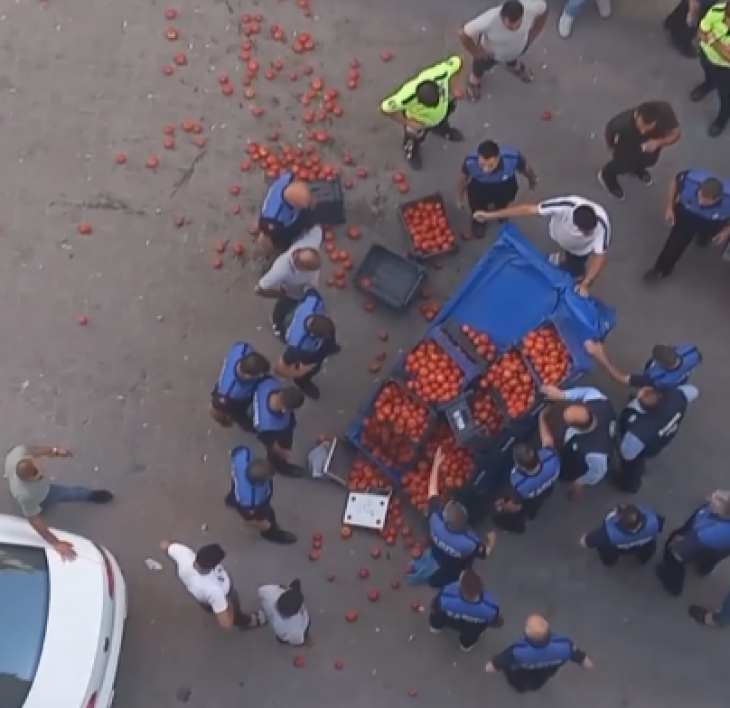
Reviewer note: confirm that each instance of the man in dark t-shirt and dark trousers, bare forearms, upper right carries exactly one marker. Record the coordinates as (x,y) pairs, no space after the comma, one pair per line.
(635,138)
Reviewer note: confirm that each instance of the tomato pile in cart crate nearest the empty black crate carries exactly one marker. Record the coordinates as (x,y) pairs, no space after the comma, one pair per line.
(435,377)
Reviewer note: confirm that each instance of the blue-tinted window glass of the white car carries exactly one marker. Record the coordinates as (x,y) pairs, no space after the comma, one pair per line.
(24,593)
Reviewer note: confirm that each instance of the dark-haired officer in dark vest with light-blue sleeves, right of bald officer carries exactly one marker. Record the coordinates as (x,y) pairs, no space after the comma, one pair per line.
(646,426)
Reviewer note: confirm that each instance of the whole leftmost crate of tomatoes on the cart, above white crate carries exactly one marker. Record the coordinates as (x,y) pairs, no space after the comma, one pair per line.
(394,428)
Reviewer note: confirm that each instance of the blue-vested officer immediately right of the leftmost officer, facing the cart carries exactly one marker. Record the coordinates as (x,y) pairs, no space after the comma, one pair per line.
(274,422)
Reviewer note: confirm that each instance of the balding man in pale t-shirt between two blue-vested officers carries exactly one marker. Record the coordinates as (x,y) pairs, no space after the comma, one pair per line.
(291,274)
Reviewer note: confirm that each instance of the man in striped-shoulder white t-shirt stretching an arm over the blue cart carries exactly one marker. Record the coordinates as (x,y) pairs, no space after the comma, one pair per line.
(579,226)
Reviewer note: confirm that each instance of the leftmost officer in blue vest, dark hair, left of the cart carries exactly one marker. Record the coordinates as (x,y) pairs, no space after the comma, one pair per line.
(232,397)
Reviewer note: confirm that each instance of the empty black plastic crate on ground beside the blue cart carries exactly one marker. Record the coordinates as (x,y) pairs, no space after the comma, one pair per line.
(389,277)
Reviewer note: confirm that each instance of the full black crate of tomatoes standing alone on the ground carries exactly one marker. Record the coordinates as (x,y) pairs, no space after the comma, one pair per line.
(427,225)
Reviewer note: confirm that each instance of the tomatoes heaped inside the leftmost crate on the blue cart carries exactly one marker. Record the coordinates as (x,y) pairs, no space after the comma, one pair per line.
(395,427)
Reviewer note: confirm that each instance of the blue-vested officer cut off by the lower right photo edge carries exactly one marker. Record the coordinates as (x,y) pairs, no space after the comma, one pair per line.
(703,541)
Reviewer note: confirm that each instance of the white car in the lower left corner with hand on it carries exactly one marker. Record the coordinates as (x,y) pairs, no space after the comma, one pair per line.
(61,622)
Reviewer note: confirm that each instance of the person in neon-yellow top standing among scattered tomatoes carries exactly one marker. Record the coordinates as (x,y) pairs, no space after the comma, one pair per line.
(423,105)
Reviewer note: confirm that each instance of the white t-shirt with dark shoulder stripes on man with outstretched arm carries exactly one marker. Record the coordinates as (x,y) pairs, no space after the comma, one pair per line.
(566,234)
